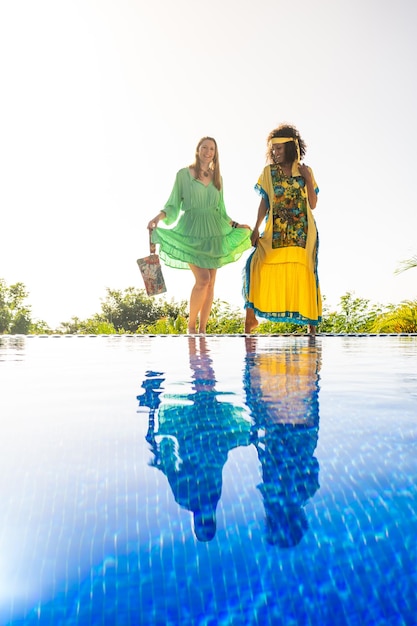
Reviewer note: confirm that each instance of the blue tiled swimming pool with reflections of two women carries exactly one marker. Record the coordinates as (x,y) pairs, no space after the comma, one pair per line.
(201,481)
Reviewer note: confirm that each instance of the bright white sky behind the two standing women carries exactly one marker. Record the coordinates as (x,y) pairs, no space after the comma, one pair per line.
(104,100)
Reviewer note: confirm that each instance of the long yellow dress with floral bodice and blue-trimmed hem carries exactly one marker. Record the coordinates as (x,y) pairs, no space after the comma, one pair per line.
(281,282)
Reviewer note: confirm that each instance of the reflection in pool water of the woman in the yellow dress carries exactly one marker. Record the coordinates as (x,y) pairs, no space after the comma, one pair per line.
(282,389)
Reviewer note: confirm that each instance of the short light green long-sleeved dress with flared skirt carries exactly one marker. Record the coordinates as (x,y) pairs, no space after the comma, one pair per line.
(203,235)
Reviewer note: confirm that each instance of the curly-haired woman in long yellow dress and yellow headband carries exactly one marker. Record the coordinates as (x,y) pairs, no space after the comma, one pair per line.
(281,282)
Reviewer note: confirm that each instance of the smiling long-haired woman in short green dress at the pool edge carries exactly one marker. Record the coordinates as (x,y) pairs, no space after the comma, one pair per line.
(203,237)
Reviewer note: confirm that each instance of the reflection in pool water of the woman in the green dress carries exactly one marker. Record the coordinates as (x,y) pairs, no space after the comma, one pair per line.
(195,433)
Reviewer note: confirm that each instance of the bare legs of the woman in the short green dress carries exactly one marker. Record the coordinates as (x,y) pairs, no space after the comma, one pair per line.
(201,298)
